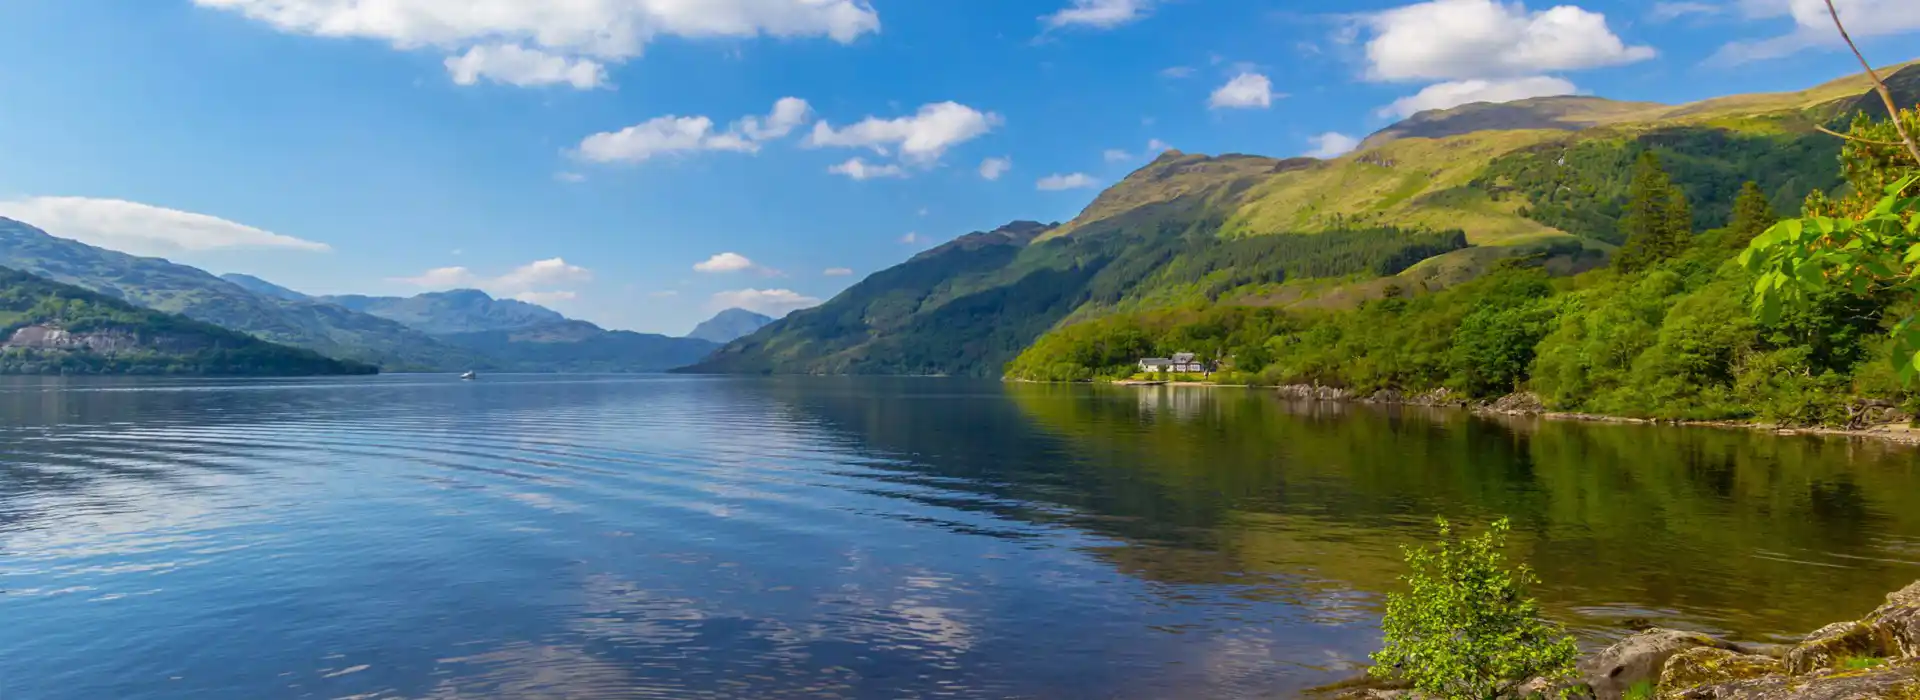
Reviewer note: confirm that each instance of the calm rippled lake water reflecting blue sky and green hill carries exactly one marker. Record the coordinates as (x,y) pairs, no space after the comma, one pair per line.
(790,538)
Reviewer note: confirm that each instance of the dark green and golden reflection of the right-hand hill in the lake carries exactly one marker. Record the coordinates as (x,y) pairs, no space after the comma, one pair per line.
(1712,528)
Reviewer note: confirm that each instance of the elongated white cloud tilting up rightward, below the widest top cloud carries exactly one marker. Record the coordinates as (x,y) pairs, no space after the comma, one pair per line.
(688,135)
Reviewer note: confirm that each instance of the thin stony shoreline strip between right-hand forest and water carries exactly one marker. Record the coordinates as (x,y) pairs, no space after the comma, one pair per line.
(1525,406)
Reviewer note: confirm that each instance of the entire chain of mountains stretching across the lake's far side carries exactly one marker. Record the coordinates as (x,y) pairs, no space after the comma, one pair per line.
(1426,204)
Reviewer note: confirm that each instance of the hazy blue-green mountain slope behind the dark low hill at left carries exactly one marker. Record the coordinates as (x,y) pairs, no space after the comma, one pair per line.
(191,292)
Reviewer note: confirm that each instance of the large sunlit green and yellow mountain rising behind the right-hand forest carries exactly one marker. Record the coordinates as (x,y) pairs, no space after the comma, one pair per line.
(1428,204)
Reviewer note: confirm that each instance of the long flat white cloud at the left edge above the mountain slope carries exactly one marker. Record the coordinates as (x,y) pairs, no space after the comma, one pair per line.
(143,229)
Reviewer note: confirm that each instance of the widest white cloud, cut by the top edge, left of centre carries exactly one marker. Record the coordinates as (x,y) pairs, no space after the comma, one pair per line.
(583,34)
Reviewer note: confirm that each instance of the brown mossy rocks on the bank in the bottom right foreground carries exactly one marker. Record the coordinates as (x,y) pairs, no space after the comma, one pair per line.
(1869,659)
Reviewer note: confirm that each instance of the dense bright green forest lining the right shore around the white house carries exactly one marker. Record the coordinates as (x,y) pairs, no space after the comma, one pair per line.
(1664,333)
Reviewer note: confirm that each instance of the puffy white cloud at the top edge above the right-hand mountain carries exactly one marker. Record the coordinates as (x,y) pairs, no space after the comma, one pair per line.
(1491,39)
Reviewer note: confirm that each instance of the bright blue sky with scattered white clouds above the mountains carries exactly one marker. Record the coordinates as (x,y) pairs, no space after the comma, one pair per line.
(598,154)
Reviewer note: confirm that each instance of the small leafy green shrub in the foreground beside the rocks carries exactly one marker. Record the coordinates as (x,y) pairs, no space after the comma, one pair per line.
(1468,628)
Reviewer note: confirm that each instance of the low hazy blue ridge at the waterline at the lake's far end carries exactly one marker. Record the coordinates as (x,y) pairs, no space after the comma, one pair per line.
(577,346)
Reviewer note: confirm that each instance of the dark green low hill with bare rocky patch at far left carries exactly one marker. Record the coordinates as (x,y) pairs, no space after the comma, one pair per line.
(59,329)
